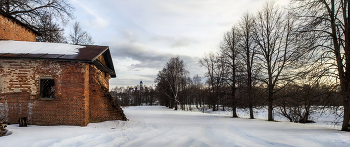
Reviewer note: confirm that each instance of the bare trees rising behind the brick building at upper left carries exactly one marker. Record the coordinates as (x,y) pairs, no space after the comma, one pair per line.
(47,16)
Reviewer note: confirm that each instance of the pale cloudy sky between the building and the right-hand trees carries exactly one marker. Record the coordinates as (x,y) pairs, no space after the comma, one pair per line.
(144,34)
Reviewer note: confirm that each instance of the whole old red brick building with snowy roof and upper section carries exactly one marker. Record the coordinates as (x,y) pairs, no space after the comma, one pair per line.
(53,83)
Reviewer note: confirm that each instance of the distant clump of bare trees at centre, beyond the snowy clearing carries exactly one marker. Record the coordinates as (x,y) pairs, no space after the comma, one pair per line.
(175,88)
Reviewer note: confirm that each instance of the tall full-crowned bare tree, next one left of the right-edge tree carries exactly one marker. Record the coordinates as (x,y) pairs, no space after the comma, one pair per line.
(274,37)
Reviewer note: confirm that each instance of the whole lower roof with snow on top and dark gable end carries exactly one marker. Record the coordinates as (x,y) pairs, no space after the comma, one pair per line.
(58,51)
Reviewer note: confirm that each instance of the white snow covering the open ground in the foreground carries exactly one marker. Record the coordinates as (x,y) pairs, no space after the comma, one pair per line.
(159,126)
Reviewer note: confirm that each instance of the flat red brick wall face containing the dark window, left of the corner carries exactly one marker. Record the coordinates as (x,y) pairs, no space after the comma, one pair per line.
(70,105)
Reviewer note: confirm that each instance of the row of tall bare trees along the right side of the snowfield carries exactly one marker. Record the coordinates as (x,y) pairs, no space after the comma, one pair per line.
(292,59)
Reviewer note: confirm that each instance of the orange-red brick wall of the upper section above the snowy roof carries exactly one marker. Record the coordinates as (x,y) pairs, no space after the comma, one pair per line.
(10,30)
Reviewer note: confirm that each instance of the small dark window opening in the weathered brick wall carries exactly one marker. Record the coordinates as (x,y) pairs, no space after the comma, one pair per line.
(47,88)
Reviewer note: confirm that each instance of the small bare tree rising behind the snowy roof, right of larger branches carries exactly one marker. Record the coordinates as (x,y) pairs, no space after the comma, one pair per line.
(79,36)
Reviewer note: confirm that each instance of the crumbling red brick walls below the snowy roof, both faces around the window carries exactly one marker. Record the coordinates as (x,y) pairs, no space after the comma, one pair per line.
(80,93)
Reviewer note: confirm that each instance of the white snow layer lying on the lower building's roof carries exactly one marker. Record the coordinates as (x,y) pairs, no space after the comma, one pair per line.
(16,47)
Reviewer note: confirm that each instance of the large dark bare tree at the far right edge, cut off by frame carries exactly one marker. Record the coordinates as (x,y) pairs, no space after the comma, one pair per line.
(331,19)
